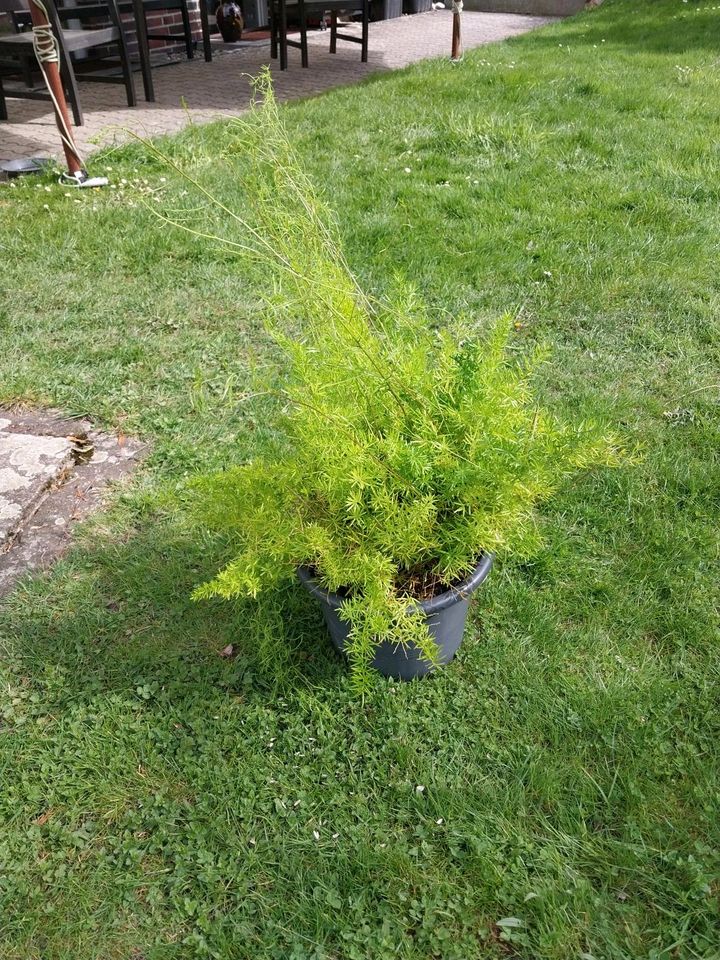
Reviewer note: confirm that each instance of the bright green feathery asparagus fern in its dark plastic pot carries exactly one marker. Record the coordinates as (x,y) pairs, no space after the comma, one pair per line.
(405,454)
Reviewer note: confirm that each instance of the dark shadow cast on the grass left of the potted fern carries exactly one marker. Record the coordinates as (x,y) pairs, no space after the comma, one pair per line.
(119,616)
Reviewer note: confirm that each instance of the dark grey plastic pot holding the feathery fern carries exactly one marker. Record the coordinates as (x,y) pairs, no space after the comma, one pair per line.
(445,616)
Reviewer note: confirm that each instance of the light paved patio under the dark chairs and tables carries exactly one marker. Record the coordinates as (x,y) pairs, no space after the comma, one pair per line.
(198,91)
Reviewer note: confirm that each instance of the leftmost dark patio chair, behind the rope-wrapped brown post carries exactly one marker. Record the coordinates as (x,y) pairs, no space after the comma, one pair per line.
(16,52)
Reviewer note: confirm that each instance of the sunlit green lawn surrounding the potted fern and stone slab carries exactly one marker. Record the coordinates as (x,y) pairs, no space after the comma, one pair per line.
(159,801)
